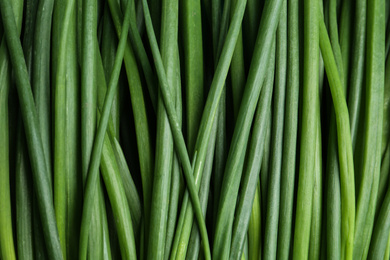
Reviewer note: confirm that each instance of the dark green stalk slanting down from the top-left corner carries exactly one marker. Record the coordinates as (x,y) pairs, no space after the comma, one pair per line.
(29,113)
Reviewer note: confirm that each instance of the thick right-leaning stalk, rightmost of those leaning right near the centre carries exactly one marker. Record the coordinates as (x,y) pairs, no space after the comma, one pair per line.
(235,160)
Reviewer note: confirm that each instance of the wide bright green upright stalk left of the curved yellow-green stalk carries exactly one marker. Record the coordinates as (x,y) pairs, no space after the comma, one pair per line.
(309,129)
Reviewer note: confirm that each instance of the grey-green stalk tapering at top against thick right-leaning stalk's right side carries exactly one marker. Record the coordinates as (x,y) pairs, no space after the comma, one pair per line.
(273,195)
